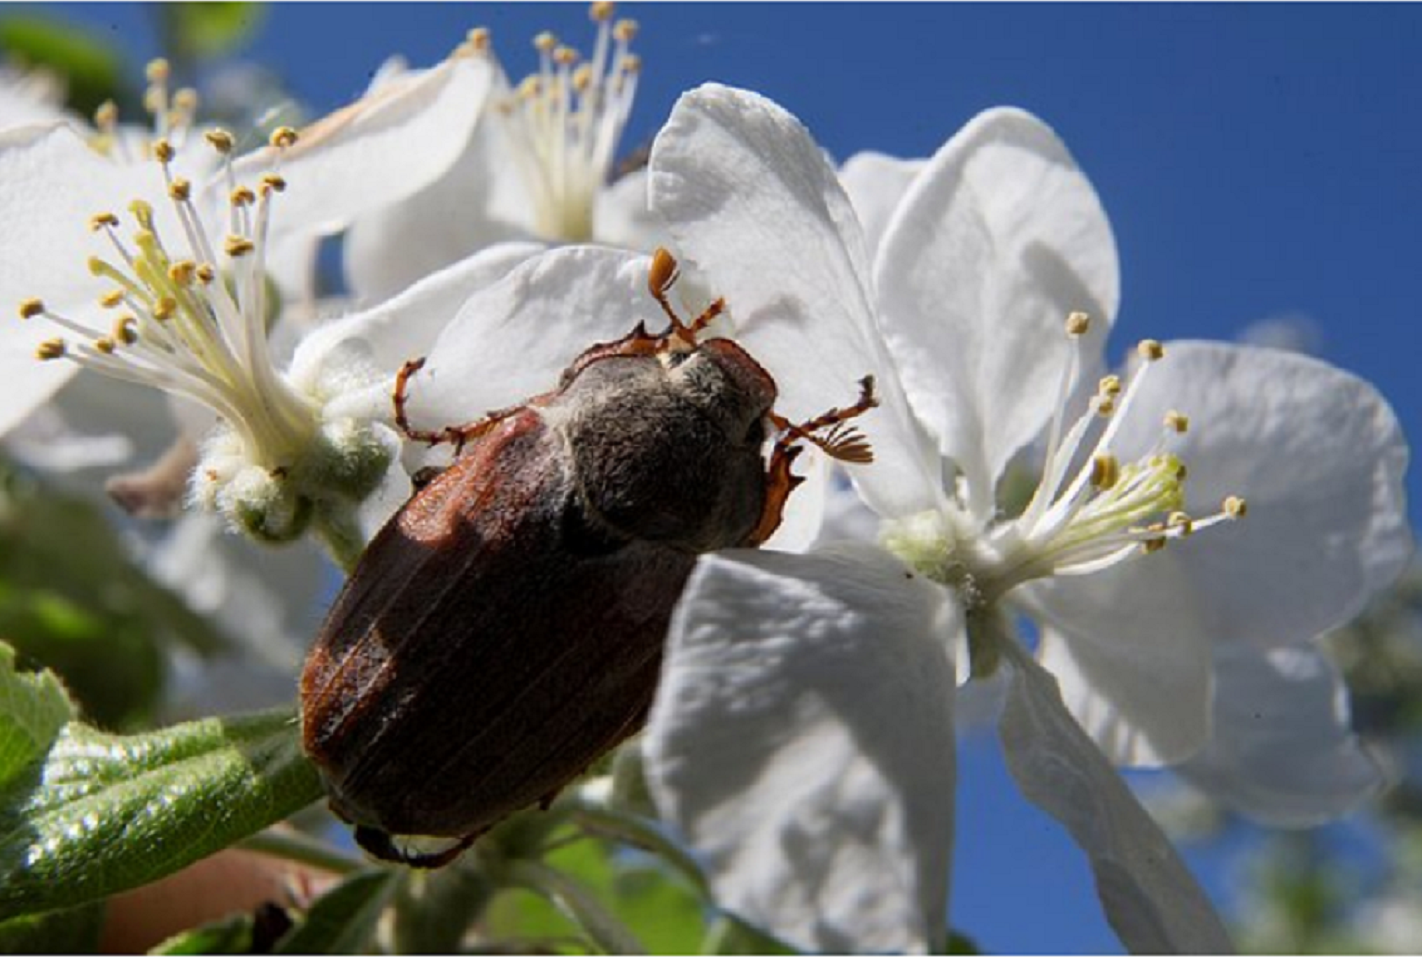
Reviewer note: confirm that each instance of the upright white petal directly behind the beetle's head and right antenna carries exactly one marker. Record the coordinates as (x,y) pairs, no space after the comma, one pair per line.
(754,205)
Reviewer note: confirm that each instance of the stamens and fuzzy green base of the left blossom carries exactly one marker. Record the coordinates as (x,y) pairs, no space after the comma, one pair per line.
(193,311)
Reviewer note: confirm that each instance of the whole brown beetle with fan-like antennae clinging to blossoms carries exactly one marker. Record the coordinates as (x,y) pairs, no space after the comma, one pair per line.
(506,628)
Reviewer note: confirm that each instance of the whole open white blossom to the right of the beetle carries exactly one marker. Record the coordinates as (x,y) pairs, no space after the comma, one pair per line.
(999,244)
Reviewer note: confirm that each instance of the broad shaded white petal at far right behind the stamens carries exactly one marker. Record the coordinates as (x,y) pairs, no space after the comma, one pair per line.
(1320,459)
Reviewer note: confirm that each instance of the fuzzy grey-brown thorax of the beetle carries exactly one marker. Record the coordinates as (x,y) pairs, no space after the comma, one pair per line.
(668,447)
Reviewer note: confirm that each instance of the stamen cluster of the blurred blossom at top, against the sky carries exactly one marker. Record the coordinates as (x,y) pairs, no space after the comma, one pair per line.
(568,120)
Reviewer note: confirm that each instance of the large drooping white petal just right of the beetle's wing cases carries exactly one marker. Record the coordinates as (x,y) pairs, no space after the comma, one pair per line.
(803,743)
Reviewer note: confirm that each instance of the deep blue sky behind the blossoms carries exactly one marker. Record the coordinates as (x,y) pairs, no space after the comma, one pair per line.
(1256,161)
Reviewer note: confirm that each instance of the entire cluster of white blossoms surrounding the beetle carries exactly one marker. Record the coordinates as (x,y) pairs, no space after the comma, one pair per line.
(1130,612)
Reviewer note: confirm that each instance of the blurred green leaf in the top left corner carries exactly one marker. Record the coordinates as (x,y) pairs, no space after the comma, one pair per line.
(92,69)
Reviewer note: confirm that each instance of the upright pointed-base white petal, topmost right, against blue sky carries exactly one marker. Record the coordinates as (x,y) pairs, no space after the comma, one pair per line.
(996,242)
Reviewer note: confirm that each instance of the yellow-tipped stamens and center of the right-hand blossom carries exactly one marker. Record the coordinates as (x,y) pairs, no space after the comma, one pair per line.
(1089,513)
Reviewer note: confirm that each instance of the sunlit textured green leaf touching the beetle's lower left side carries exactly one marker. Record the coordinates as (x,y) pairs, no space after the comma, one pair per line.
(102,814)
